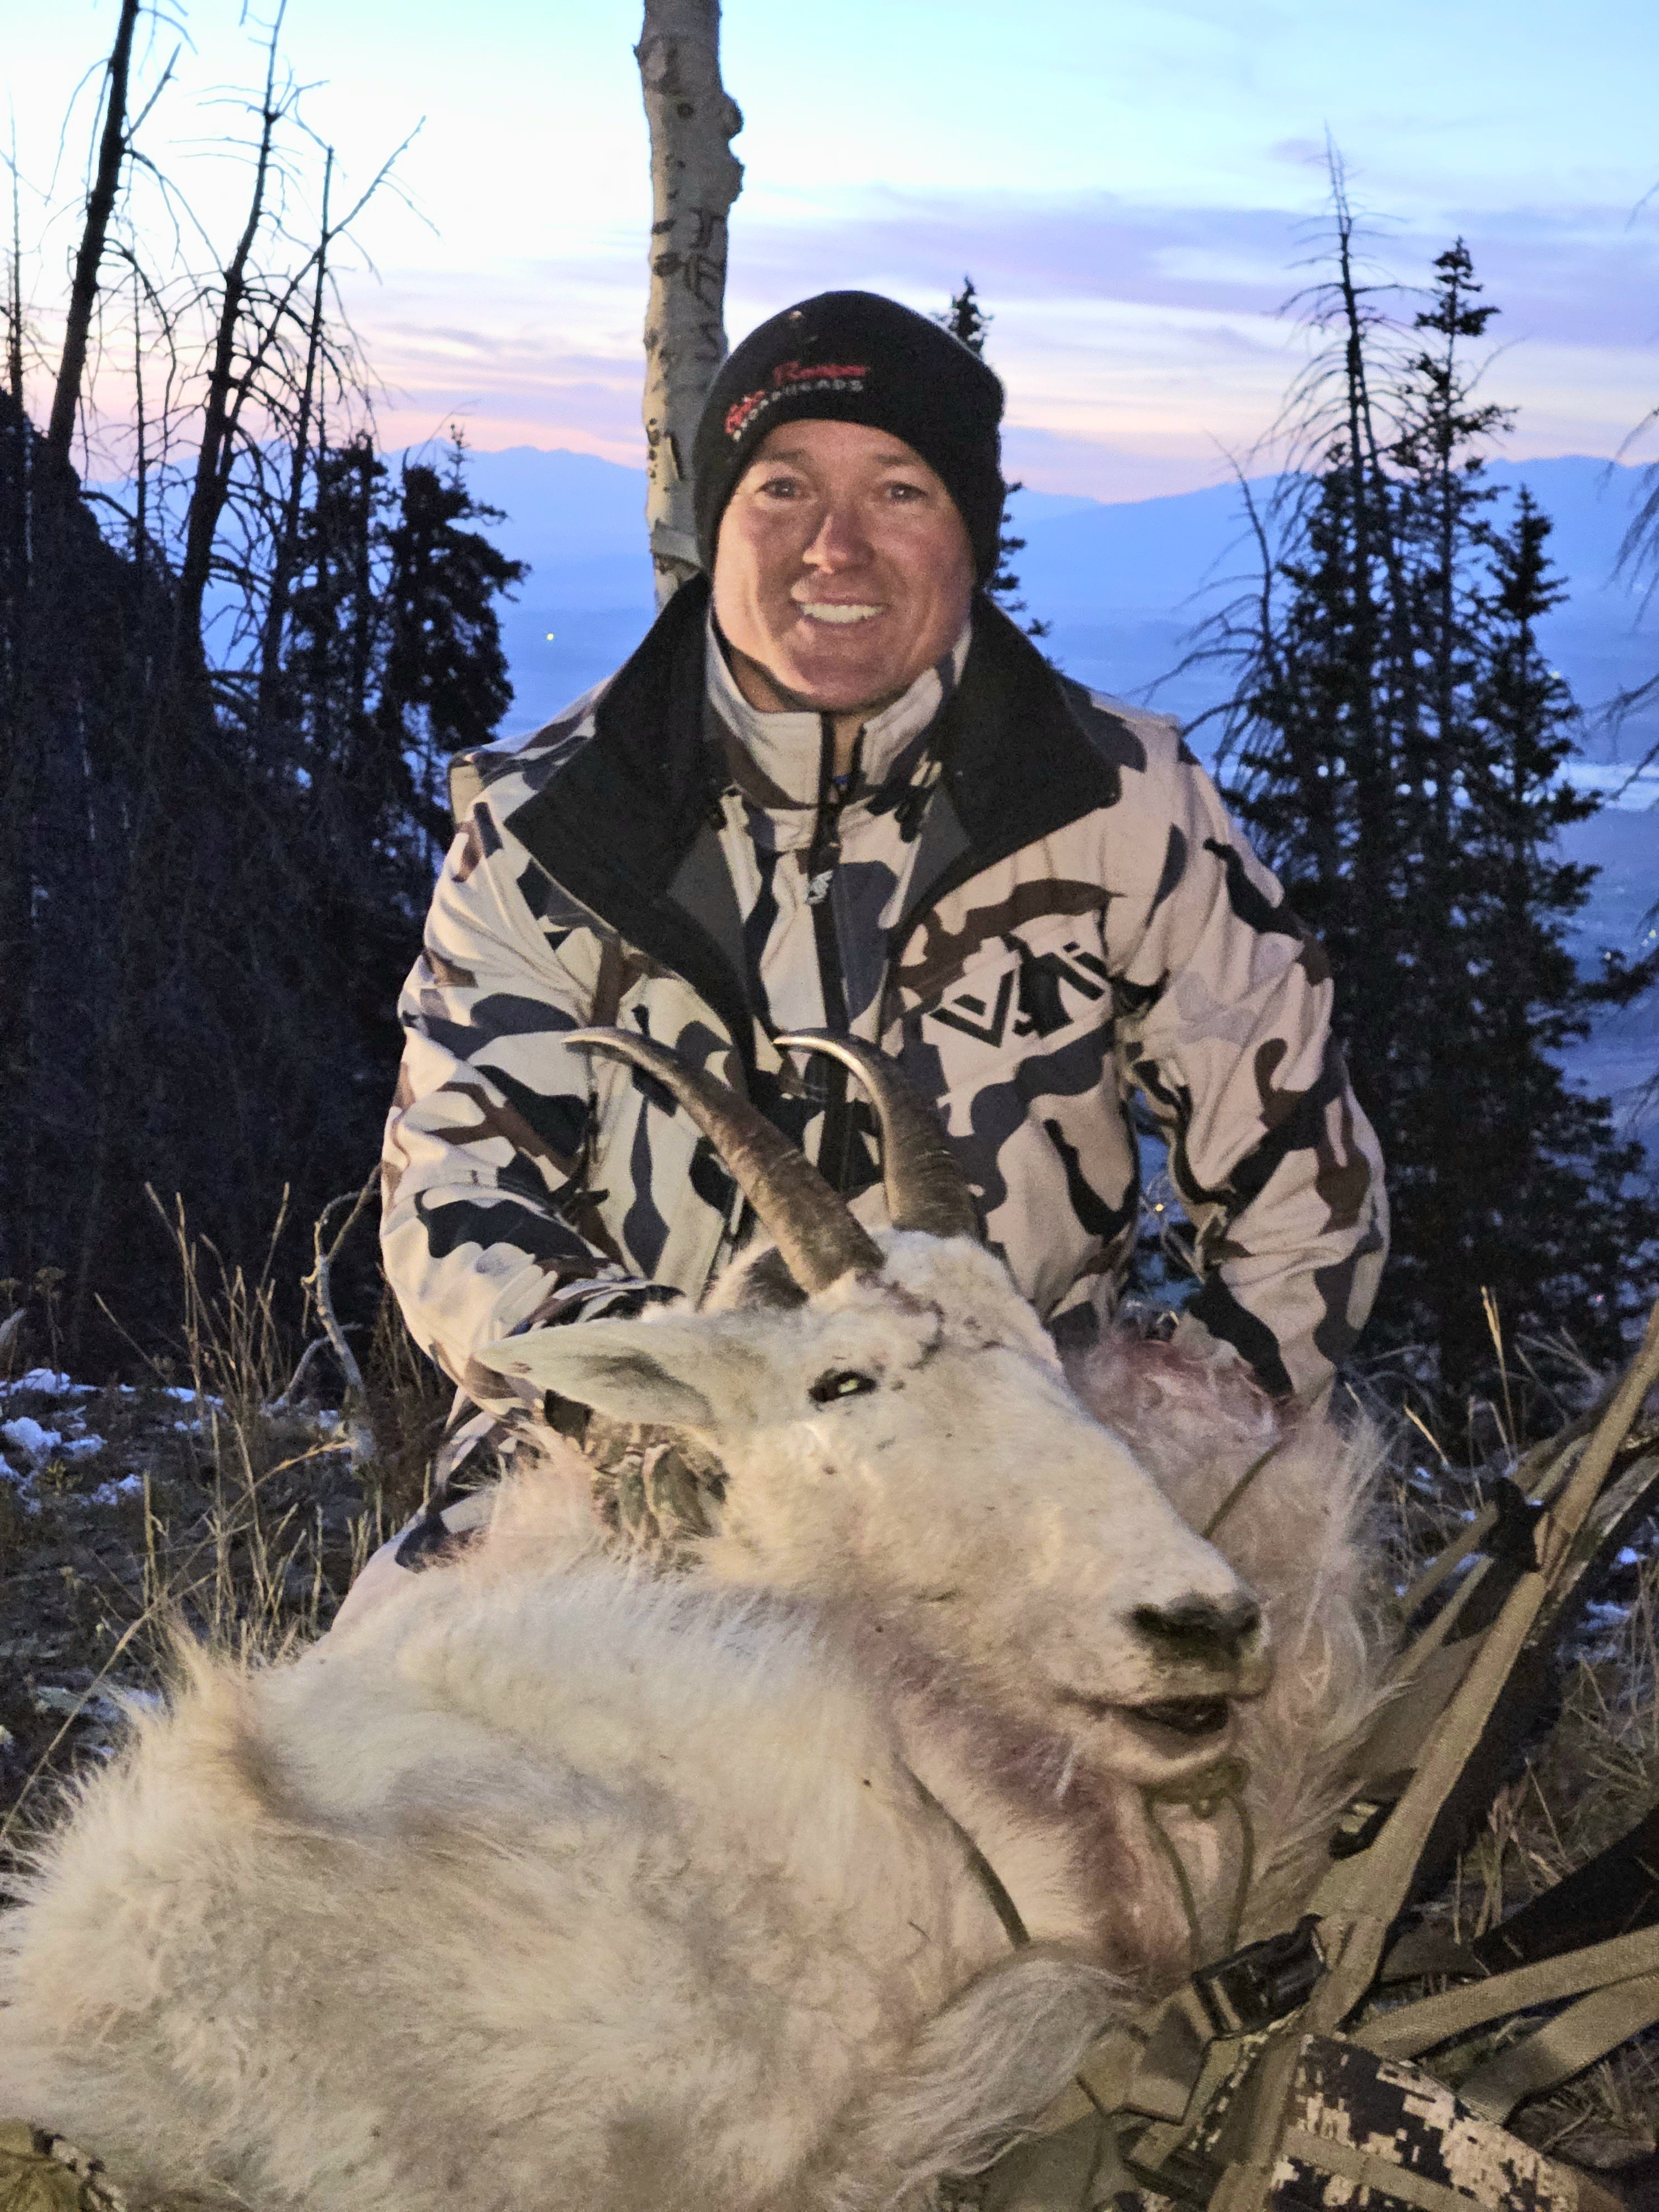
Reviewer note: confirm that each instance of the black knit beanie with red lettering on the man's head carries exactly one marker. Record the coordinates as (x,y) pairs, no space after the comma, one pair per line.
(855,357)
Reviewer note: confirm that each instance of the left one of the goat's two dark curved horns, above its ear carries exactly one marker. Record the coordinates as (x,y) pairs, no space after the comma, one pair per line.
(811,1227)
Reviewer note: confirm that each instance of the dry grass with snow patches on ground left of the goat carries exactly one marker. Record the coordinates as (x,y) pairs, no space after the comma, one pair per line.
(229,1499)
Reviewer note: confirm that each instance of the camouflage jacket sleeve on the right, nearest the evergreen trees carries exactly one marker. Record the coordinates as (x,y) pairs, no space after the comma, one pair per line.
(1224,1025)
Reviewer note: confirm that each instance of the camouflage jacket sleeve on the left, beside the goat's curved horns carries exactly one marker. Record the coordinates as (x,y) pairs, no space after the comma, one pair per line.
(486,1229)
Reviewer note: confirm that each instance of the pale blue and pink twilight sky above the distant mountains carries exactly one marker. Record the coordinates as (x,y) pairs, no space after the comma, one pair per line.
(1134,185)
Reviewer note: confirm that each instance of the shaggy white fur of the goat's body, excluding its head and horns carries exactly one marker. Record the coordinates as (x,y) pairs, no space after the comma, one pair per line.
(351,1886)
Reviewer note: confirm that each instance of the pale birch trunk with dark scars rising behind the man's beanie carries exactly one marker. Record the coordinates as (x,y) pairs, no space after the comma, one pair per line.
(693,182)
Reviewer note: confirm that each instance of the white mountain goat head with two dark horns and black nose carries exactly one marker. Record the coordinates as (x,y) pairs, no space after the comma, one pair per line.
(906,1441)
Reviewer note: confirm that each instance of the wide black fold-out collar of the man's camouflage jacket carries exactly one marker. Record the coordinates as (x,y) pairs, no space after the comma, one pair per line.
(1023,753)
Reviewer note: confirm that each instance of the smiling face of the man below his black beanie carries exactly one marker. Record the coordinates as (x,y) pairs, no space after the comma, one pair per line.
(842,570)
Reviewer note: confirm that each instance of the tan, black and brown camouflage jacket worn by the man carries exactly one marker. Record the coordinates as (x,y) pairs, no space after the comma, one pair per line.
(1025,895)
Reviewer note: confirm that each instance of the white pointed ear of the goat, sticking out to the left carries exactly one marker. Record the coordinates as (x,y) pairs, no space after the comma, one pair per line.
(674,1370)
